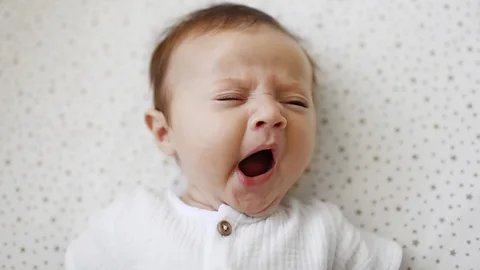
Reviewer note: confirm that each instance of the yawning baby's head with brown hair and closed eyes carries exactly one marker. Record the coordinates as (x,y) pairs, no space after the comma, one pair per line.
(233,97)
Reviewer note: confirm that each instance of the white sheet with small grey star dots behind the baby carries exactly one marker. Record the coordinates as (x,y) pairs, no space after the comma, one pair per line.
(398,119)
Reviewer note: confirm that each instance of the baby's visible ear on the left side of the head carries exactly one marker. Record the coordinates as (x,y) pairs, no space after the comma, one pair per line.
(160,129)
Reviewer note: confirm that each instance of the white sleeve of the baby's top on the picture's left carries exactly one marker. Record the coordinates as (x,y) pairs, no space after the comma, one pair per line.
(95,248)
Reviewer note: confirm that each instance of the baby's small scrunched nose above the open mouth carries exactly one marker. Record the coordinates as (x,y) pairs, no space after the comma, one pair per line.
(268,115)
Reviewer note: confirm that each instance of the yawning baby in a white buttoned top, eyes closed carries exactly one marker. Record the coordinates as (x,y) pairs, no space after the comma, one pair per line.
(233,104)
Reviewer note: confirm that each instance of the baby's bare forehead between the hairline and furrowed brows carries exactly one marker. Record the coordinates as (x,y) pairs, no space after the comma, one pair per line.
(253,52)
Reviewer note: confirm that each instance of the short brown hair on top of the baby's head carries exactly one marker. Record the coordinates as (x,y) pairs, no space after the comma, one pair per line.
(214,18)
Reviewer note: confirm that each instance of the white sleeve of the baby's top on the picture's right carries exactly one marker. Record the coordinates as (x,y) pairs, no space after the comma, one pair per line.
(357,249)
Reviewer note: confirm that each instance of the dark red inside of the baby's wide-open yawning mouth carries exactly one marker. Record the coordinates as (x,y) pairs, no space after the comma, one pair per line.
(257,163)
